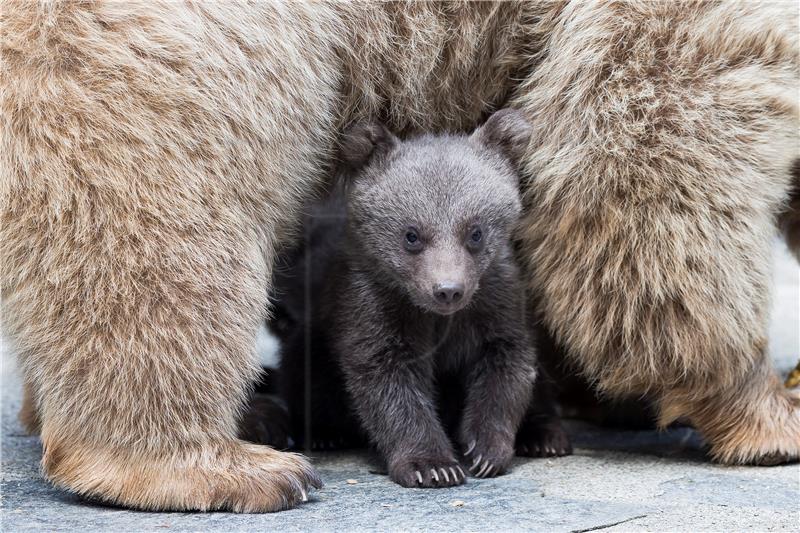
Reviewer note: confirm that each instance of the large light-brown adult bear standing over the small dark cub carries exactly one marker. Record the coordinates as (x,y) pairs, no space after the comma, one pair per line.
(154,155)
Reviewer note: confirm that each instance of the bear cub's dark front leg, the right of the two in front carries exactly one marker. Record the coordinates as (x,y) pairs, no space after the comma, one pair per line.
(498,392)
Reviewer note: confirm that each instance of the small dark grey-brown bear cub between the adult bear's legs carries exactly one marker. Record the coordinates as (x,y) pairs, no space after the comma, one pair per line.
(403,317)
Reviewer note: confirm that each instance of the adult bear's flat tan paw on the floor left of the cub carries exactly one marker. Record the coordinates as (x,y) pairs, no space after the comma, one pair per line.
(223,476)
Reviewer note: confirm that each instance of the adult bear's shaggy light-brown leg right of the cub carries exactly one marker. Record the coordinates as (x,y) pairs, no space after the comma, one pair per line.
(661,158)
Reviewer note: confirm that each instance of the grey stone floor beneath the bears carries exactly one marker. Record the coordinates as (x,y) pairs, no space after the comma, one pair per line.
(616,481)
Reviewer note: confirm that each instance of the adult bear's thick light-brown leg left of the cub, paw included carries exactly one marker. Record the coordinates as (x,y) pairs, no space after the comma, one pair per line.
(152,155)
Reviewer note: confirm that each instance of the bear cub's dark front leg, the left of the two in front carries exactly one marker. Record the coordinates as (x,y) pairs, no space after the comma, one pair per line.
(392,391)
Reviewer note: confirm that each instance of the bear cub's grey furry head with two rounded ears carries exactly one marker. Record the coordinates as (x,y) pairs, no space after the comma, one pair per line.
(432,212)
